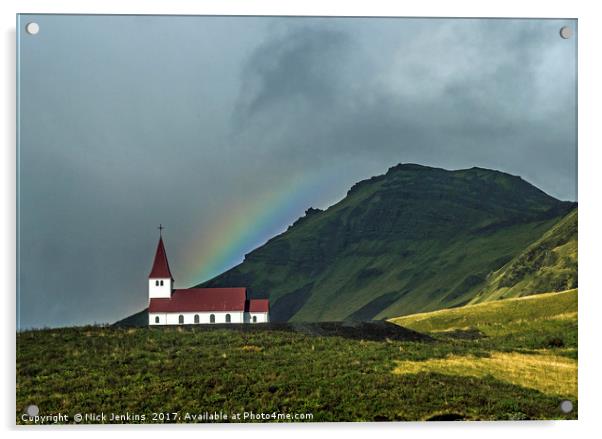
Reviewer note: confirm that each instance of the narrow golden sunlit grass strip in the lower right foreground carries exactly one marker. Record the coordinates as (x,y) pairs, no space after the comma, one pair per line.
(550,374)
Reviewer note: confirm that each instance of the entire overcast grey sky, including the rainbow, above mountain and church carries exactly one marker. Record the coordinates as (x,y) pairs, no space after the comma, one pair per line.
(227,129)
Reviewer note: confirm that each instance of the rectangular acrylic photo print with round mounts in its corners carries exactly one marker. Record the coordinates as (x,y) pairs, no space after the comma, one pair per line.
(295,219)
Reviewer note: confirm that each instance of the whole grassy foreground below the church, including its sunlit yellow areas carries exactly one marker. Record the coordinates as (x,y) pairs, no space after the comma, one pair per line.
(481,366)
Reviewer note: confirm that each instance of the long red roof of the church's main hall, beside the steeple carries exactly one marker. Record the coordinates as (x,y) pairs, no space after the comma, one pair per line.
(202,300)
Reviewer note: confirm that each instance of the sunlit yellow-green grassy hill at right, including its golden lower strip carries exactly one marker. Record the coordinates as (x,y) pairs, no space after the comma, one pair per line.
(532,341)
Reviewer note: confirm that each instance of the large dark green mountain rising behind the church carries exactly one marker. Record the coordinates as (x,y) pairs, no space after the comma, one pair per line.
(412,240)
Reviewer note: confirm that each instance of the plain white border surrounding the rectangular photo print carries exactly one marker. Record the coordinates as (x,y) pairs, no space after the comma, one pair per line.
(589,211)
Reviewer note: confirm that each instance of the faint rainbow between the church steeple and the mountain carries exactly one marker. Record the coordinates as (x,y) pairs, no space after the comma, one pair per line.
(246,226)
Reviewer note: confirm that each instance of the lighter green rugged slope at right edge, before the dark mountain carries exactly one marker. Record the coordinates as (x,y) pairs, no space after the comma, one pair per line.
(549,264)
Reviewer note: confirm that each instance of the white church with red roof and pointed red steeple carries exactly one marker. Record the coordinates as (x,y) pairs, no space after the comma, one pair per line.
(198,306)
